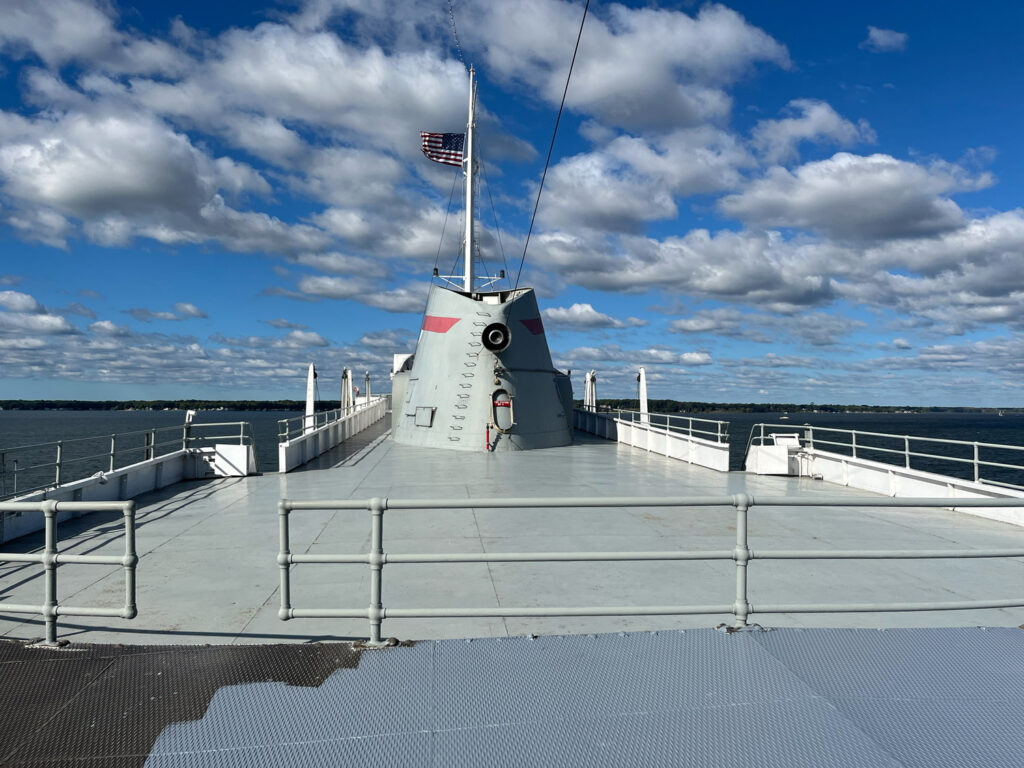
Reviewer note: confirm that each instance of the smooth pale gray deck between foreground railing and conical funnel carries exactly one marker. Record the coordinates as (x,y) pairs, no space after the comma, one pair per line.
(208,571)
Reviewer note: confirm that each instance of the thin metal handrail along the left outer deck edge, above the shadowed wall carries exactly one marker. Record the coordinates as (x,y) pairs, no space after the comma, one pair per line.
(184,440)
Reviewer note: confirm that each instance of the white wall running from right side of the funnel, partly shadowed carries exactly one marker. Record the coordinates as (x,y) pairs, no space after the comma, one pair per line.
(656,440)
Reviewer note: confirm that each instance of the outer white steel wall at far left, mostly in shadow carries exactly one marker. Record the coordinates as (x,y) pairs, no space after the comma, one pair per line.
(136,480)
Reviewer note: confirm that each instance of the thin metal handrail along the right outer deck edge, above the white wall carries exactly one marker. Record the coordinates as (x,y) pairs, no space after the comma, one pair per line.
(758,438)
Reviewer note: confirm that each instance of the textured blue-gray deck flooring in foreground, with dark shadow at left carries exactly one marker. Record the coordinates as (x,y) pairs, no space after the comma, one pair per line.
(785,698)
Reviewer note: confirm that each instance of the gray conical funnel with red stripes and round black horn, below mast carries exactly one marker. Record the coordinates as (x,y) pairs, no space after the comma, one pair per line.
(483,378)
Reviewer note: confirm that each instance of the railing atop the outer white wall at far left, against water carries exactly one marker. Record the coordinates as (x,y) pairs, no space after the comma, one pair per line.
(51,465)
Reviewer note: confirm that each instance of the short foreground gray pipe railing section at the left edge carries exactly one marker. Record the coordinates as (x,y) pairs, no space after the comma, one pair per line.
(52,558)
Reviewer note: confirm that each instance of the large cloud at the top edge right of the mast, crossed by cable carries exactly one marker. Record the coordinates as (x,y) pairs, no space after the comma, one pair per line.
(639,69)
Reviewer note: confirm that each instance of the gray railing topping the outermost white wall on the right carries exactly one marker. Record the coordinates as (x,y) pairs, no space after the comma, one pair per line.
(903,450)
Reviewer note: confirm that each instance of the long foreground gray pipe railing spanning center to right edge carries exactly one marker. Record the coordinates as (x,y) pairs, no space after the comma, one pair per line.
(742,554)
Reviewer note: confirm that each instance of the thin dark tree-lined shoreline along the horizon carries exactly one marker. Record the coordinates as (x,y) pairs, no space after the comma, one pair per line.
(656,406)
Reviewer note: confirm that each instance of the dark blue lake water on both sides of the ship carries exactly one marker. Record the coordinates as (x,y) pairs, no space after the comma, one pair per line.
(33,428)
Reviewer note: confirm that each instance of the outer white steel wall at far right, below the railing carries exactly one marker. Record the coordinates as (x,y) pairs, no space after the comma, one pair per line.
(883,479)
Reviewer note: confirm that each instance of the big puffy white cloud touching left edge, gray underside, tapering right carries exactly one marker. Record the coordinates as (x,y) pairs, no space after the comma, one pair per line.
(126,175)
